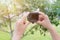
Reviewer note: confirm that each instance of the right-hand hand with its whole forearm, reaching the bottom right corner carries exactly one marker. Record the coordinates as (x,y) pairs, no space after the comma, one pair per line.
(44,21)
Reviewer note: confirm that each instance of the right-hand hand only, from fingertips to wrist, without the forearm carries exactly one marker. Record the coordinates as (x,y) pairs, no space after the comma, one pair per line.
(44,20)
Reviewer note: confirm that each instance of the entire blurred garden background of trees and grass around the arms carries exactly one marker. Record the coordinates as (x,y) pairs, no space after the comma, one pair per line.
(10,11)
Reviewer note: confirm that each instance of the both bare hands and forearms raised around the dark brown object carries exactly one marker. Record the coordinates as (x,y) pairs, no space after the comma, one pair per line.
(43,20)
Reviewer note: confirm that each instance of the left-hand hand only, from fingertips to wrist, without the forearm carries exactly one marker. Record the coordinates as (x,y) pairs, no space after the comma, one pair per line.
(21,24)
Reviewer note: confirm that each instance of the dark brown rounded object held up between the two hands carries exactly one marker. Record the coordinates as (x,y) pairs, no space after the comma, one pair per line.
(33,17)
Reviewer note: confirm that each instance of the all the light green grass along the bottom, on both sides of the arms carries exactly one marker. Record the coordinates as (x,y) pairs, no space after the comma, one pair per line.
(35,36)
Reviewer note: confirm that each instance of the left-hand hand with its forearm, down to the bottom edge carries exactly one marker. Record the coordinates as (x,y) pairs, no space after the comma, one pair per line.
(20,27)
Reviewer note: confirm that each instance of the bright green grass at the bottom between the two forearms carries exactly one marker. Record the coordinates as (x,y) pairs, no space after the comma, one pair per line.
(37,36)
